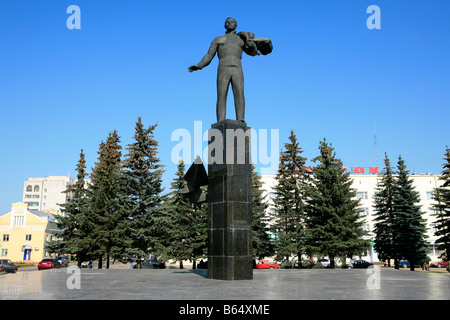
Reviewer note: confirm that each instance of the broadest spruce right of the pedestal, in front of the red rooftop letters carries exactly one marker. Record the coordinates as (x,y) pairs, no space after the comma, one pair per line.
(334,228)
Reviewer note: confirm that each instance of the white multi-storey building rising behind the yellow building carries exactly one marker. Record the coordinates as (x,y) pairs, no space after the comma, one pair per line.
(46,193)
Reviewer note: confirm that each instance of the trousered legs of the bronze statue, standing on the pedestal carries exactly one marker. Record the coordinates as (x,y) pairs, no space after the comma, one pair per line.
(225,76)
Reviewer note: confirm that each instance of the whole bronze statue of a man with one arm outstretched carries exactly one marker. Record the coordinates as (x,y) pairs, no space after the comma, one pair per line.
(229,48)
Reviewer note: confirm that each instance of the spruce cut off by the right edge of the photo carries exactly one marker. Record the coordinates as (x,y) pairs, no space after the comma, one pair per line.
(442,209)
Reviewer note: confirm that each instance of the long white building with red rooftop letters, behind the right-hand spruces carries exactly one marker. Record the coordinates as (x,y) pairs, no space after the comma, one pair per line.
(365,185)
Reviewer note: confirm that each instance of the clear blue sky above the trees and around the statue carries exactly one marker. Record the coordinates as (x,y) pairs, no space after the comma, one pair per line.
(328,76)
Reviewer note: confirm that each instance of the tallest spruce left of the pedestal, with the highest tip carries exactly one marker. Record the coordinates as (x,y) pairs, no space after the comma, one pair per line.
(141,188)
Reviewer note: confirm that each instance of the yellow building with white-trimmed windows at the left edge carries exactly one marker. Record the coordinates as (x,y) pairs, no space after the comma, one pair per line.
(23,233)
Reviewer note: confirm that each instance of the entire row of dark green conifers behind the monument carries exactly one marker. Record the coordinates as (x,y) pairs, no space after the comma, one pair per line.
(124,212)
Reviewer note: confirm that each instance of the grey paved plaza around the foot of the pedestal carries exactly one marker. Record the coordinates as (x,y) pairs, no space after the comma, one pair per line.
(121,283)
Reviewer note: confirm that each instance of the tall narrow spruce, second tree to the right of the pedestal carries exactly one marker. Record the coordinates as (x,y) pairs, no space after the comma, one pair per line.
(289,201)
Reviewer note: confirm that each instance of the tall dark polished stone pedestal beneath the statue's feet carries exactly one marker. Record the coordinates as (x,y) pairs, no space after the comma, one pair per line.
(229,202)
